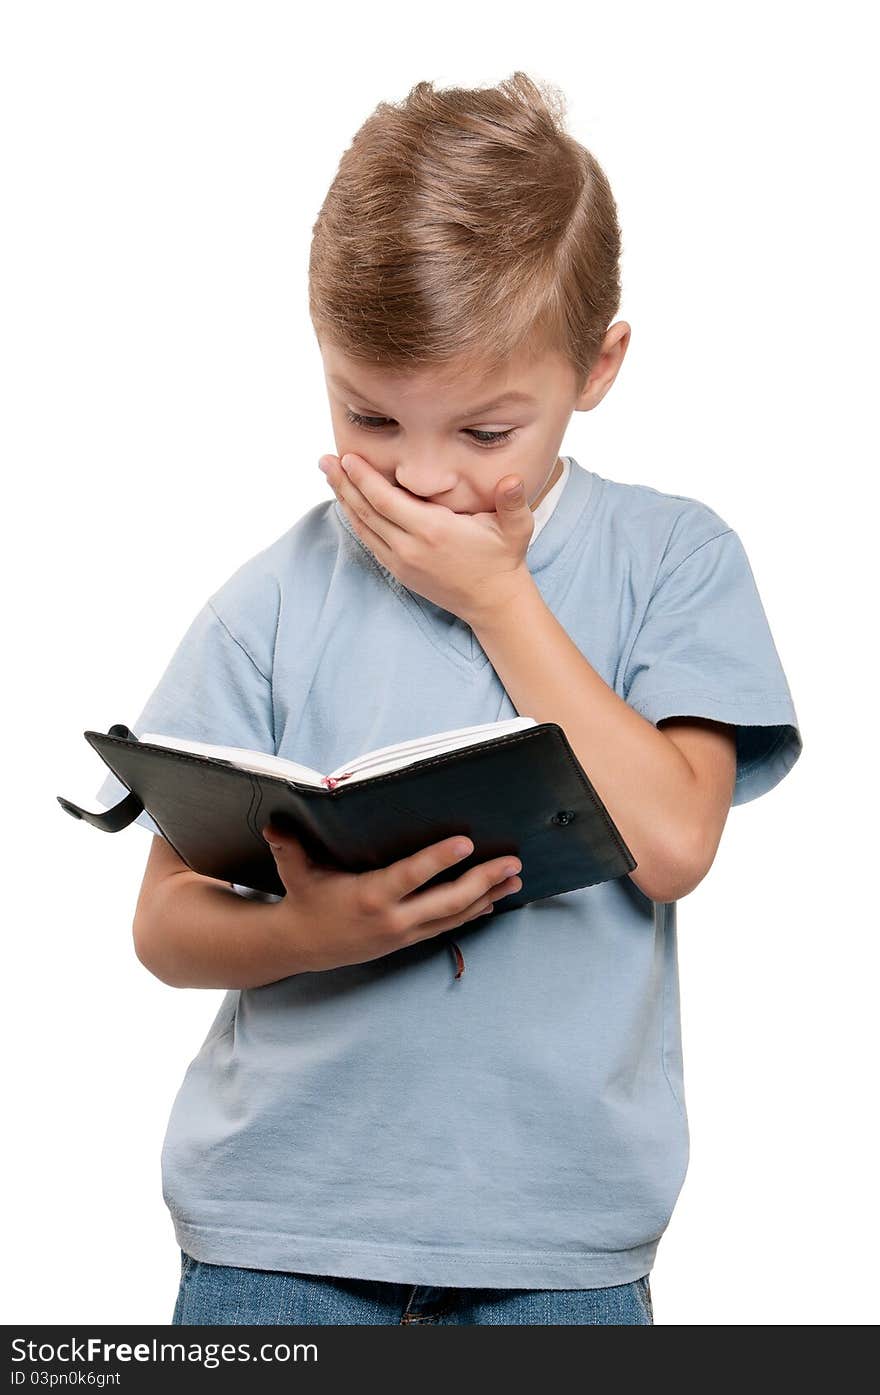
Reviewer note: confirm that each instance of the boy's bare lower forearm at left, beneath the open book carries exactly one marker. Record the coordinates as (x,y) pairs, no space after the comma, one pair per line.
(197,933)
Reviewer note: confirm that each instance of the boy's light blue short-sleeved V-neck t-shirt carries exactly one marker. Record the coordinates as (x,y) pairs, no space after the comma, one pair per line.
(524,1125)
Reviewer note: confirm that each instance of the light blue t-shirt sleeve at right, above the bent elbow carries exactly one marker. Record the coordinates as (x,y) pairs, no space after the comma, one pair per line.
(705,649)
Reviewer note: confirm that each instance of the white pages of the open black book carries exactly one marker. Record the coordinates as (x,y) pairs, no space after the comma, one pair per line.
(372,764)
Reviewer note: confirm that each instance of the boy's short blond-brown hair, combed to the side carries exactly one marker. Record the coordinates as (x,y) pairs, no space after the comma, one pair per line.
(466,225)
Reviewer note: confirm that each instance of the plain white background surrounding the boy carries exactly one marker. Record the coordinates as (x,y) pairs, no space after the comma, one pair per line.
(165,411)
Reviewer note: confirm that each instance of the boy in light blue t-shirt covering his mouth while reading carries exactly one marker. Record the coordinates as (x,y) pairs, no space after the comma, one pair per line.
(373,1132)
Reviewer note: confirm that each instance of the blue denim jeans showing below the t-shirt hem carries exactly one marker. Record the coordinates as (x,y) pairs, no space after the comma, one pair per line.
(222,1295)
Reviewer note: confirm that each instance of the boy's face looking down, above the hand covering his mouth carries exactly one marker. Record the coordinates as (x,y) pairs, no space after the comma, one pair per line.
(450,439)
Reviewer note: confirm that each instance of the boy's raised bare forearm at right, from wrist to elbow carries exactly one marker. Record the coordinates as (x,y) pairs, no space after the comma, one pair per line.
(639,774)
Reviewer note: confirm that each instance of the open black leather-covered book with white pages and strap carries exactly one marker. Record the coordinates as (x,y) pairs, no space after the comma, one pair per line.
(510,786)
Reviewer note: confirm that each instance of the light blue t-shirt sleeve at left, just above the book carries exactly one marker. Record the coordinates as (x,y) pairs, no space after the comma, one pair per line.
(213,690)
